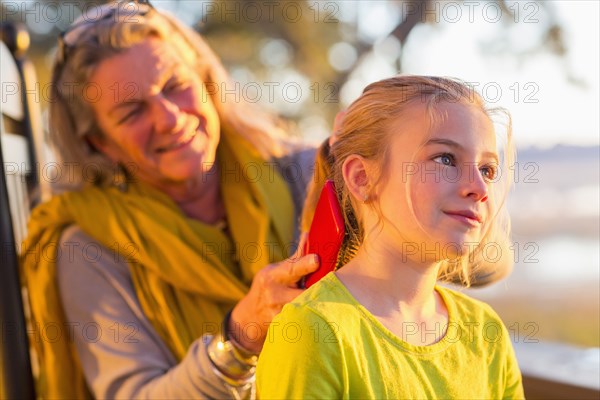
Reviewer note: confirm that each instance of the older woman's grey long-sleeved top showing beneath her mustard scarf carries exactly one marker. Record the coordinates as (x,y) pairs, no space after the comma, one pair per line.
(121,353)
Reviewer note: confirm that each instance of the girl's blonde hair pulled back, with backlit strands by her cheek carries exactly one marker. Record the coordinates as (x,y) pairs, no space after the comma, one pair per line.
(365,132)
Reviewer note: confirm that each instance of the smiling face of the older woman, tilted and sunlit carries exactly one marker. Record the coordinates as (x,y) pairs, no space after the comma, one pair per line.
(155,114)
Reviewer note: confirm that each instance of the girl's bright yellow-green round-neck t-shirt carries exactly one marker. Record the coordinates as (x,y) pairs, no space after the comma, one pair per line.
(325,345)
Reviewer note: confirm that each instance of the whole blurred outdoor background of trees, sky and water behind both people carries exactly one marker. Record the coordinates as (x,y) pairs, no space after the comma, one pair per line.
(306,60)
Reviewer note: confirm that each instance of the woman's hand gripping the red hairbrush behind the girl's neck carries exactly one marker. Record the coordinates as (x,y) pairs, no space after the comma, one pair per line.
(273,287)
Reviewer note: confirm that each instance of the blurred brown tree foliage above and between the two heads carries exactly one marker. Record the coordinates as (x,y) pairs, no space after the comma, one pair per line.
(312,31)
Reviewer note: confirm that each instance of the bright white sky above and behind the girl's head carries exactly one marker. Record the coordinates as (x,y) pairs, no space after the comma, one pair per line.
(546,108)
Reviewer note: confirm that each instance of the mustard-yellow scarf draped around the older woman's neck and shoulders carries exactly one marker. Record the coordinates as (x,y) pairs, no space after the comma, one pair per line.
(186,274)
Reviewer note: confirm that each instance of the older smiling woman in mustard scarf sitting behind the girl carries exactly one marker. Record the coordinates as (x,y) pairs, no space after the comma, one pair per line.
(157,273)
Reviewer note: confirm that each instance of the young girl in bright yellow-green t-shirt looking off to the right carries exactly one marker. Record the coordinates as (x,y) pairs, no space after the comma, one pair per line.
(417,170)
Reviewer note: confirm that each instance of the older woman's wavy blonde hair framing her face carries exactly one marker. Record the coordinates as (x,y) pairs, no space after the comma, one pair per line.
(121,26)
